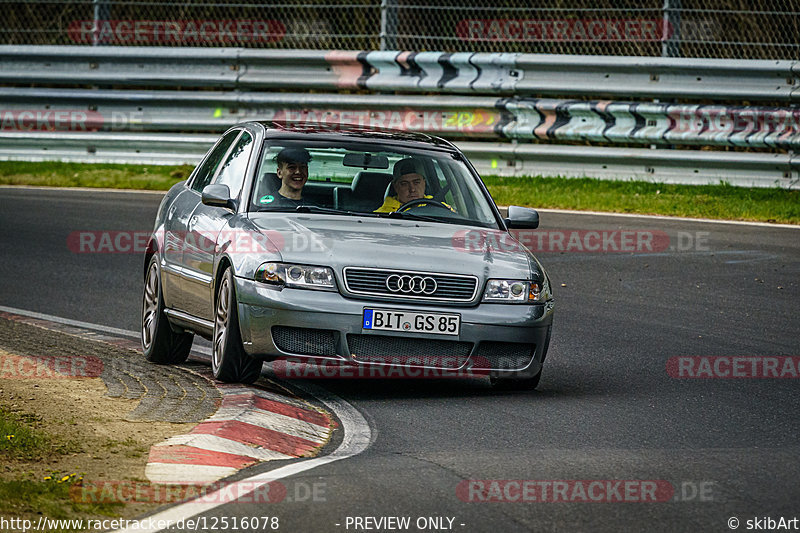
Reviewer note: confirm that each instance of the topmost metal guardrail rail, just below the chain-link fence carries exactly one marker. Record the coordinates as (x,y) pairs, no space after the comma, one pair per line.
(475,73)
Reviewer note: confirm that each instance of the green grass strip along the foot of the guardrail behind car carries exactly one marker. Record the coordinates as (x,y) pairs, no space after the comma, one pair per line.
(586,194)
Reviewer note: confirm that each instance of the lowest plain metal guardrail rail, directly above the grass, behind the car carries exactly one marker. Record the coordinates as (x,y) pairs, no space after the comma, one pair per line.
(503,159)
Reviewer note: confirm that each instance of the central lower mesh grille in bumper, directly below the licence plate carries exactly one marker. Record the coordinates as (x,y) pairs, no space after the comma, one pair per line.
(408,351)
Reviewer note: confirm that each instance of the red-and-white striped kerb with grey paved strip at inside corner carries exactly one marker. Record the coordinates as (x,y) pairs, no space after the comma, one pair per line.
(240,426)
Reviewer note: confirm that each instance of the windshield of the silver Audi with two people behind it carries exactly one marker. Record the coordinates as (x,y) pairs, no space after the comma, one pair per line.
(357,178)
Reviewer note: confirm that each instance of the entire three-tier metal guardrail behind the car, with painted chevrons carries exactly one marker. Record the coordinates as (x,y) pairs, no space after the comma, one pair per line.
(481,97)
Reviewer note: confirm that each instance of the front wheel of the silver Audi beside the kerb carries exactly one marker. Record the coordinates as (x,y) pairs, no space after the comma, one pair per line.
(229,362)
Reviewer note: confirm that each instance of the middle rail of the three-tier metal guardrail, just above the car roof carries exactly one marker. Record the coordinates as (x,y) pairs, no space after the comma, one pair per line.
(523,119)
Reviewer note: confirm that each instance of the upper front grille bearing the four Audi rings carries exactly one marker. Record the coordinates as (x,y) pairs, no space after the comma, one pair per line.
(449,287)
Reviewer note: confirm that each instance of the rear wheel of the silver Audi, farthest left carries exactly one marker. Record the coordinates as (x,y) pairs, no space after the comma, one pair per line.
(160,344)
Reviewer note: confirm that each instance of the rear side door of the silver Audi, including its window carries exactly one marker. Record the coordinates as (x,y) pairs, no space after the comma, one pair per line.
(176,220)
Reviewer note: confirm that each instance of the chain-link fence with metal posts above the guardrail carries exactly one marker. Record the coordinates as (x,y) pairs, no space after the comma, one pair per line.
(738,29)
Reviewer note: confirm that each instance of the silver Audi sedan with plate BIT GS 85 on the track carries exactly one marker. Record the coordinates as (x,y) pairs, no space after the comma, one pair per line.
(353,246)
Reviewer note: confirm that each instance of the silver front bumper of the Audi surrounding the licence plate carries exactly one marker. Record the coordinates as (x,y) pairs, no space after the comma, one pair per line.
(484,328)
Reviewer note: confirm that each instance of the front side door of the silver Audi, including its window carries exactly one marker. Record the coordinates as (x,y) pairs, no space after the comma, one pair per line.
(204,226)
